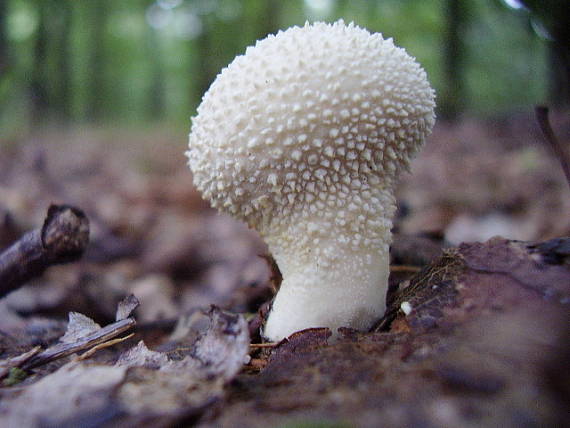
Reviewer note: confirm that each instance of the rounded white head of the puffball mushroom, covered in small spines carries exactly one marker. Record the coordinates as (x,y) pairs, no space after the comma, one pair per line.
(312,110)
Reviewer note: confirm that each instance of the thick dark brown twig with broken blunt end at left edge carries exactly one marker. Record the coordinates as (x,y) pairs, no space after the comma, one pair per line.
(62,239)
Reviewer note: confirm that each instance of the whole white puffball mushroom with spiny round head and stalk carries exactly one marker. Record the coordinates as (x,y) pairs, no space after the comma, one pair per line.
(303,138)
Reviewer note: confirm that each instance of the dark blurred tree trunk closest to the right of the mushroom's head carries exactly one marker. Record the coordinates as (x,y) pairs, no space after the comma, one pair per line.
(453,99)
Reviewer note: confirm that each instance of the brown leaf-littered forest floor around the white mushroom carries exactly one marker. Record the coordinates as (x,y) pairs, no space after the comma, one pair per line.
(486,343)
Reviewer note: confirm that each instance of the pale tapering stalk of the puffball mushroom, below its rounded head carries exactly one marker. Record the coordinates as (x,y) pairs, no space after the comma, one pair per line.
(335,269)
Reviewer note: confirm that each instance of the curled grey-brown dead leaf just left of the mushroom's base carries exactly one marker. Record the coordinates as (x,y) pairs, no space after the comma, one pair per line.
(166,385)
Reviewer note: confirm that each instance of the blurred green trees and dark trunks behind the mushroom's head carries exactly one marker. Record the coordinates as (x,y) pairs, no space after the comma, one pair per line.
(144,63)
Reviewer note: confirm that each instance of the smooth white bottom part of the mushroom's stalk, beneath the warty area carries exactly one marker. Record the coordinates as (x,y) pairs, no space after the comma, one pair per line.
(353,296)
